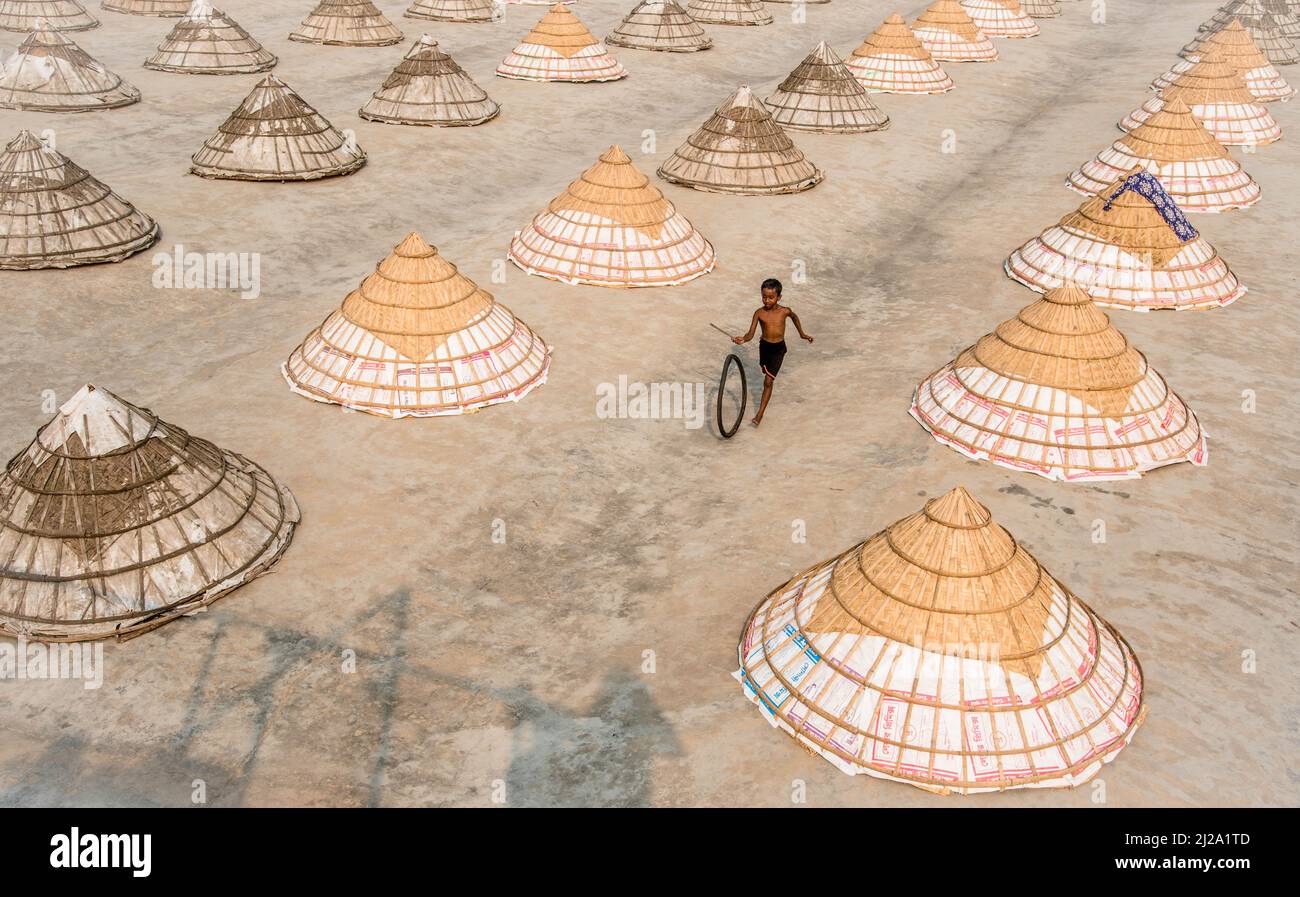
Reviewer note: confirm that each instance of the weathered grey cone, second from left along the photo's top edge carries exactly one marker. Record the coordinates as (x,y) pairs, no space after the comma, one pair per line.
(210,42)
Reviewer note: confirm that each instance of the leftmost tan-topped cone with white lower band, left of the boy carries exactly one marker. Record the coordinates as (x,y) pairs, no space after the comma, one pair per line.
(419,339)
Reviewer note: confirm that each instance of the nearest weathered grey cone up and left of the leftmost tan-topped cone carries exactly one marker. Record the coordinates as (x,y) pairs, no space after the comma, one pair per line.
(276,136)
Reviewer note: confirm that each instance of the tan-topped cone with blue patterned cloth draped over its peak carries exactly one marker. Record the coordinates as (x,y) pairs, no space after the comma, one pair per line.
(1129,248)
